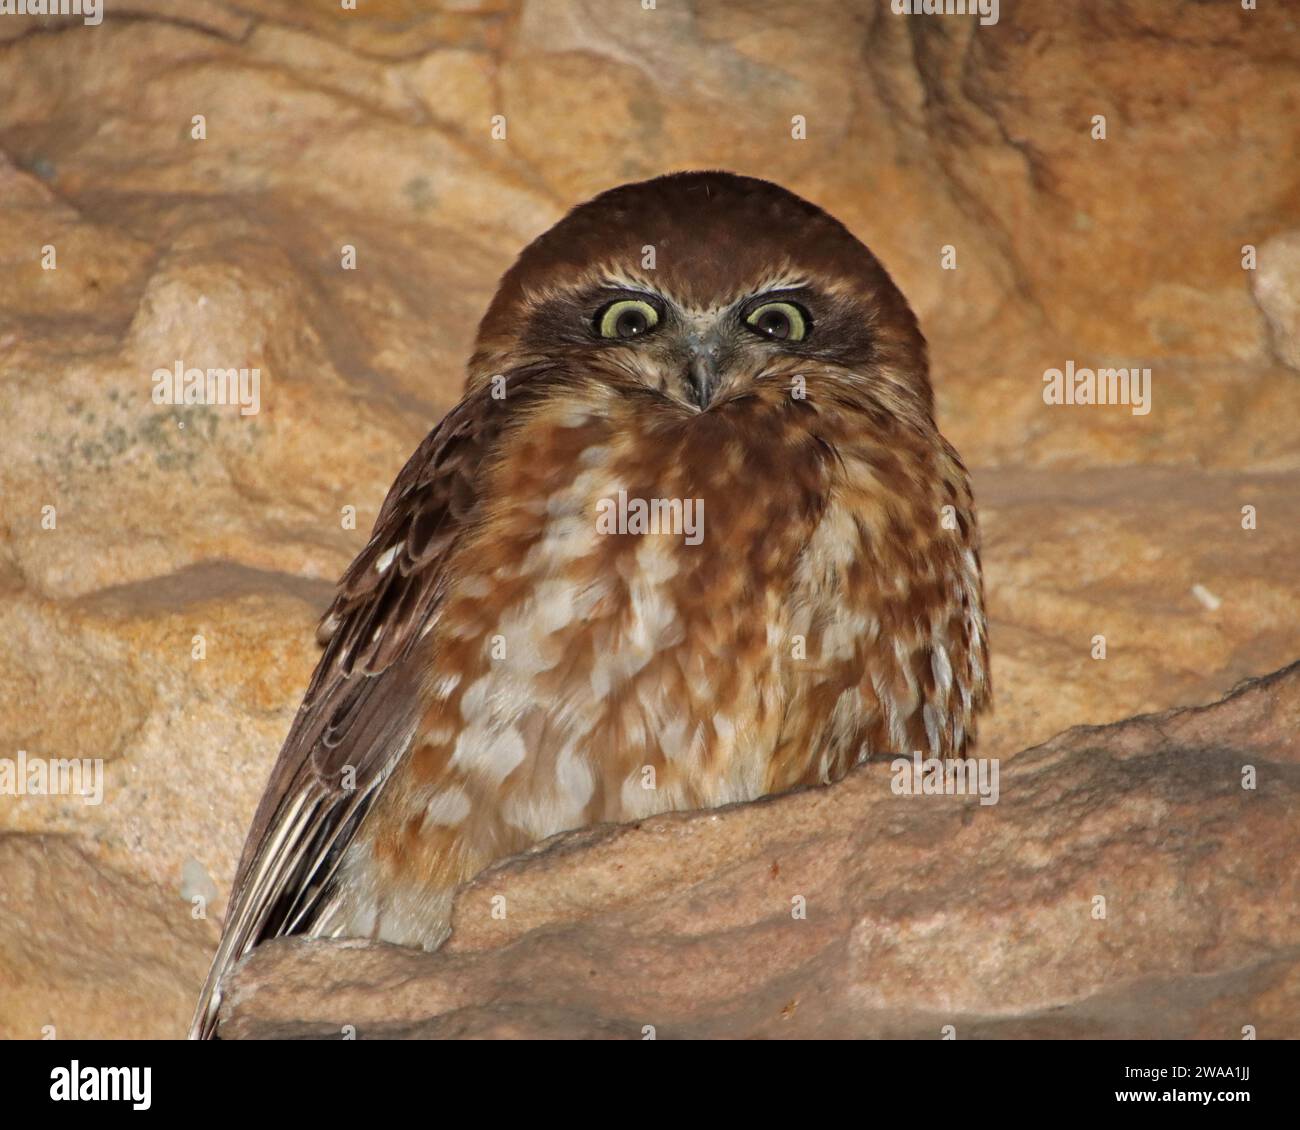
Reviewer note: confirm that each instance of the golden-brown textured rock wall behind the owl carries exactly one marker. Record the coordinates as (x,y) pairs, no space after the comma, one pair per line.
(372,129)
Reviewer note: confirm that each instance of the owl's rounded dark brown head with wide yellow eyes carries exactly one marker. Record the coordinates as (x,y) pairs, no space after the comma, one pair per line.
(700,285)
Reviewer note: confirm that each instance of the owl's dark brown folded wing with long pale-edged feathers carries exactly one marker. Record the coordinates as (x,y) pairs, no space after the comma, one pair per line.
(363,705)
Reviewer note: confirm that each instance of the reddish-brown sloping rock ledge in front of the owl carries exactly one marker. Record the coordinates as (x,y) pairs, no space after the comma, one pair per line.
(1126,885)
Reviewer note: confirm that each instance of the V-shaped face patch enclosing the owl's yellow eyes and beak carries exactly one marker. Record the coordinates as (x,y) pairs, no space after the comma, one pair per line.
(695,356)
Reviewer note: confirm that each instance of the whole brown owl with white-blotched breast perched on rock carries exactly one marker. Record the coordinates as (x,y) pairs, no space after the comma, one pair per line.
(691,538)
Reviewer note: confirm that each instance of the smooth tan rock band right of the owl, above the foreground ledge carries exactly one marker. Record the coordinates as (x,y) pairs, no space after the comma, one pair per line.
(1112,557)
